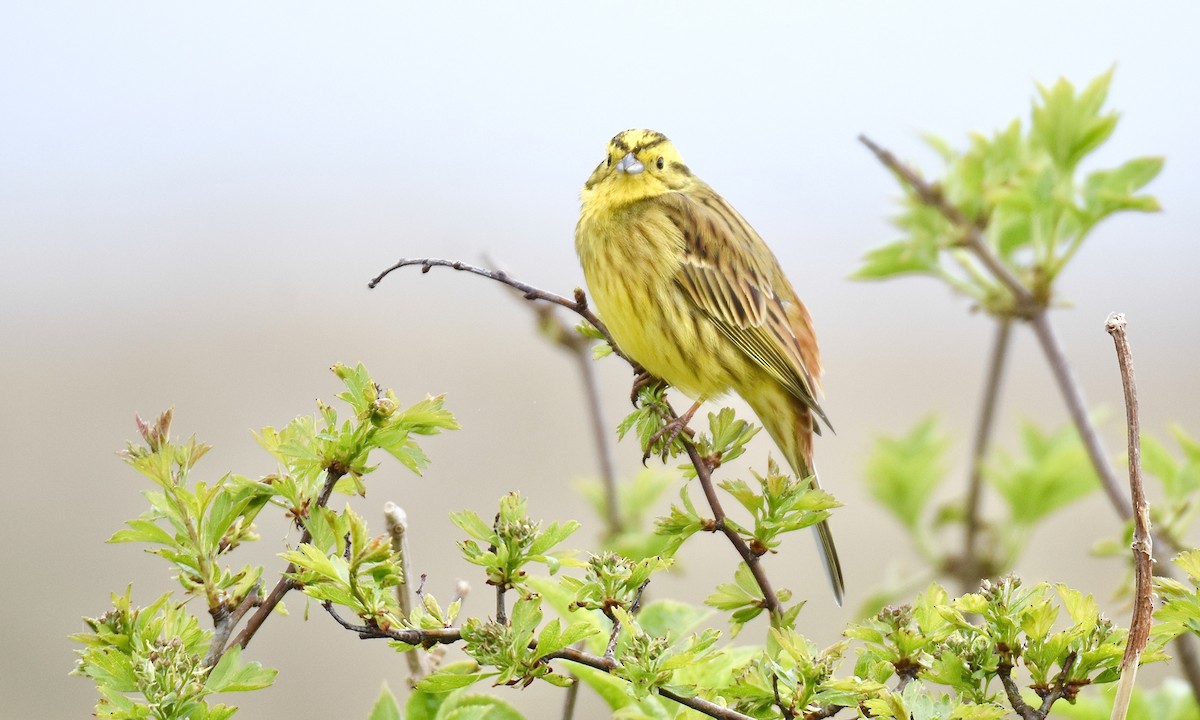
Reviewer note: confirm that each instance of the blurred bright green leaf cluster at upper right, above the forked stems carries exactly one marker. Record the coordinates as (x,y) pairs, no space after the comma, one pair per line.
(1022,189)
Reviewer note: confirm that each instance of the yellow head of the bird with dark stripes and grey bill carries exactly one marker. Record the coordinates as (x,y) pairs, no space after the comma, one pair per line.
(639,165)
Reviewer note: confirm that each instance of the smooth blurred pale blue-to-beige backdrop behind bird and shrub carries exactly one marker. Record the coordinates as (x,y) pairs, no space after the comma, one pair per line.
(194,197)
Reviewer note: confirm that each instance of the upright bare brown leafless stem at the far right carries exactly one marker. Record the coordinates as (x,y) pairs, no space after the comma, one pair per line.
(1143,542)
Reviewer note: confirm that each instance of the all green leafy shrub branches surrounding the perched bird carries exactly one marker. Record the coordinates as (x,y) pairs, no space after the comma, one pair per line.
(1000,229)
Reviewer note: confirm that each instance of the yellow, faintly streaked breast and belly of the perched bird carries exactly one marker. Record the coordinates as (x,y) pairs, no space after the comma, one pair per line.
(631,257)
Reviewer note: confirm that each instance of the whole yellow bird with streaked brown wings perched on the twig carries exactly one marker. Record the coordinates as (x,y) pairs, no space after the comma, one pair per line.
(692,293)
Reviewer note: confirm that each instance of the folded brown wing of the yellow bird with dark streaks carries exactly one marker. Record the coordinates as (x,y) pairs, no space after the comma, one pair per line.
(731,275)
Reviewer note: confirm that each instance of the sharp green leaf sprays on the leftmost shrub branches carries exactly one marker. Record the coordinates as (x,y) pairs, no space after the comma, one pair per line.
(157,662)
